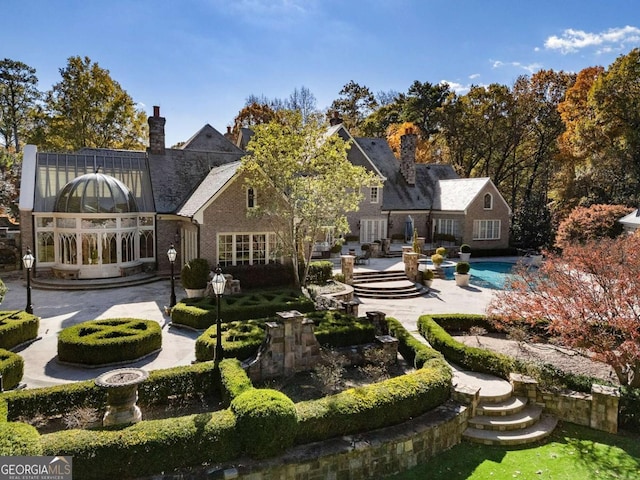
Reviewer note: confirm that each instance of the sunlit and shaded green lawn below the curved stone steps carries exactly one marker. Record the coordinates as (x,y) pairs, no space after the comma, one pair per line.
(571,452)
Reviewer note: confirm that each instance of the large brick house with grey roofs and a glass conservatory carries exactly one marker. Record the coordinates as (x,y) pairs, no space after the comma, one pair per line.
(107,213)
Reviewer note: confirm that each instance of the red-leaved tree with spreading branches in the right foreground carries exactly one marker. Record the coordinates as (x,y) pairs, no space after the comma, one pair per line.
(587,301)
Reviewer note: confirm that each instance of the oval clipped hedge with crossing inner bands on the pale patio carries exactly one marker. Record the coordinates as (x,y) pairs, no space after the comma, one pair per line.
(100,342)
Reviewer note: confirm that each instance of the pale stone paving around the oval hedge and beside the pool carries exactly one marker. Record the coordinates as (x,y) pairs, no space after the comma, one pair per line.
(60,309)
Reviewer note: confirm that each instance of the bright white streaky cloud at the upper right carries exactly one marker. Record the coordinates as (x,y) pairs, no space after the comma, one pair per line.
(573,40)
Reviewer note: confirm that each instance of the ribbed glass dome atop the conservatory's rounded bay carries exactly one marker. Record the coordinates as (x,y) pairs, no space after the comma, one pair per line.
(95,193)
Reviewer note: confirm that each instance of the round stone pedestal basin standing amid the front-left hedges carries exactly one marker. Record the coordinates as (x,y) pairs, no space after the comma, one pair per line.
(122,395)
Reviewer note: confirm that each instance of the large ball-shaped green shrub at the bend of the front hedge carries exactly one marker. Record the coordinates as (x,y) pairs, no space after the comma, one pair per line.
(266,421)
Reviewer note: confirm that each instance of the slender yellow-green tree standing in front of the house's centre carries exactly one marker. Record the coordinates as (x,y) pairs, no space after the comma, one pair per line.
(313,183)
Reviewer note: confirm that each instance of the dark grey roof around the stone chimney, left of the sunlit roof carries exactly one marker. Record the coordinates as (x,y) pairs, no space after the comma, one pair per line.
(397,193)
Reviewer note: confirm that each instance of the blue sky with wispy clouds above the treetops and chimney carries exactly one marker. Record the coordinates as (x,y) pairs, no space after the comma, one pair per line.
(200,59)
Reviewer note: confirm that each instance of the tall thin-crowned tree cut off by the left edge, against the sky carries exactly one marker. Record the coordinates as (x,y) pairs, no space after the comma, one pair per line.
(18,95)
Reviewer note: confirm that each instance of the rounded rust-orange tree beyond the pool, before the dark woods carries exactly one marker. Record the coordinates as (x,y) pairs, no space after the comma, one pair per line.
(585,224)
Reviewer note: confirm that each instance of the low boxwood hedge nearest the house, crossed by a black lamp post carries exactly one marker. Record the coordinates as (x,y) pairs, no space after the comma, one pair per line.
(202,313)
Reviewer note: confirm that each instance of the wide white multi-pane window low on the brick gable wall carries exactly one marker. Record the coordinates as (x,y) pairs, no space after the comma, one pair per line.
(246,248)
